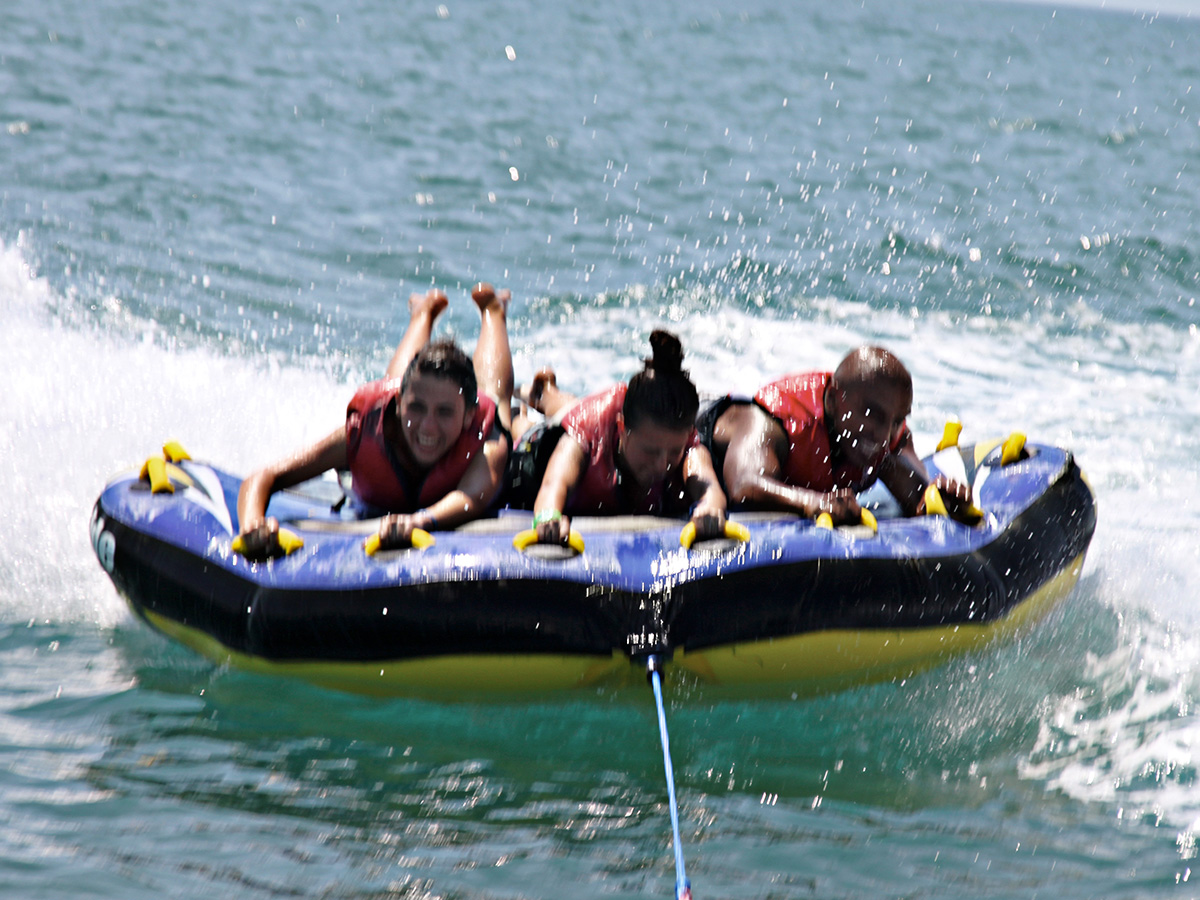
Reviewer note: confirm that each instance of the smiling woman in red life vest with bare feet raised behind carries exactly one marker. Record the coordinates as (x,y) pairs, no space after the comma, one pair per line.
(429,443)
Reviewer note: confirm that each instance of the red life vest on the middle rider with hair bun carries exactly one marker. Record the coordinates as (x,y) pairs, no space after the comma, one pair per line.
(604,490)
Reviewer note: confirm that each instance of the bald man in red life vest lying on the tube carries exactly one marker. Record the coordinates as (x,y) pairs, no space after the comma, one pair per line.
(809,443)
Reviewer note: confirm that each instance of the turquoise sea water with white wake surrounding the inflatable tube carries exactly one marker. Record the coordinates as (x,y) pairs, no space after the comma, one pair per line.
(211,220)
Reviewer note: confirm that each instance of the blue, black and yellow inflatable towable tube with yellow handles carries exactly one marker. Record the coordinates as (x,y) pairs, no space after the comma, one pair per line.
(783,602)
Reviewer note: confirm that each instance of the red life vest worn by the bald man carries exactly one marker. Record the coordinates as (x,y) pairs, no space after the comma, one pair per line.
(797,401)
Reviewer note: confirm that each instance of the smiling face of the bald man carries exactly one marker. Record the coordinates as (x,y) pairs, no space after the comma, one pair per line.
(865,422)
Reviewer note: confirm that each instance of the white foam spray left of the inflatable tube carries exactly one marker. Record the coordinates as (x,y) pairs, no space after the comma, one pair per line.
(81,405)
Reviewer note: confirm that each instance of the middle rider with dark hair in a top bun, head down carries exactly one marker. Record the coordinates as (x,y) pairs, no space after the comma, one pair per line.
(628,451)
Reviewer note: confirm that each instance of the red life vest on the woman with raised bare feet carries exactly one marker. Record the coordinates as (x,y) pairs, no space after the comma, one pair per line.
(386,477)
